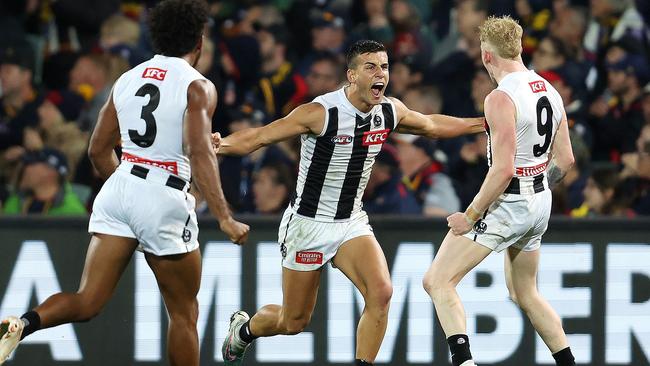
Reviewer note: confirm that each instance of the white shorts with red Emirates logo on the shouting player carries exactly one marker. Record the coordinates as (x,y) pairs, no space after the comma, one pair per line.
(307,244)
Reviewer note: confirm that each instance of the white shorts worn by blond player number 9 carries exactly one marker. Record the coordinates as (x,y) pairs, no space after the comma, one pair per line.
(517,220)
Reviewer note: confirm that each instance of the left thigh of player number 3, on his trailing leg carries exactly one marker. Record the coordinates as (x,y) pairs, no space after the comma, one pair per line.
(106,260)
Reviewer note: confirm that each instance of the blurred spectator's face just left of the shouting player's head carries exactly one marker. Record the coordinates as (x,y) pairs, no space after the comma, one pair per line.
(325,75)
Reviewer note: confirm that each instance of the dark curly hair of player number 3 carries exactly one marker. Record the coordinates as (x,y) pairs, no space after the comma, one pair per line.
(177,25)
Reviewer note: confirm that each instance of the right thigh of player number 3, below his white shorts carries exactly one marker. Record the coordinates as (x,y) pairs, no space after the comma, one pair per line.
(178,277)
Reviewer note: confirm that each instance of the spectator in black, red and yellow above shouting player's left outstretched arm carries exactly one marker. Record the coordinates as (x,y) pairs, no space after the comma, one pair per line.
(280,87)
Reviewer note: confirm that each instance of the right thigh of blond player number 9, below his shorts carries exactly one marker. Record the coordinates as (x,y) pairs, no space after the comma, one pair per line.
(521,271)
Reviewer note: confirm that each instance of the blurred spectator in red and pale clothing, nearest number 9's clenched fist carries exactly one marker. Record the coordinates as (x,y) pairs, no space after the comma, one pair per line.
(433,189)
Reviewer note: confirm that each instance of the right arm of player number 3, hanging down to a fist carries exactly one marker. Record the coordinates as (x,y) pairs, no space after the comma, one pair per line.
(201,102)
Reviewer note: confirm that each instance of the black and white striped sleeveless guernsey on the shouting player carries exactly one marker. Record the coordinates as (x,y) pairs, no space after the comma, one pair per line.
(335,165)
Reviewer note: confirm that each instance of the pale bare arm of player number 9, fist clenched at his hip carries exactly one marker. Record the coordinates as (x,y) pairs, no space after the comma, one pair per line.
(500,114)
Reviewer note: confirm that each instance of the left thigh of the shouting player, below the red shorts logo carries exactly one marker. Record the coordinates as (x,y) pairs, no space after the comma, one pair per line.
(299,293)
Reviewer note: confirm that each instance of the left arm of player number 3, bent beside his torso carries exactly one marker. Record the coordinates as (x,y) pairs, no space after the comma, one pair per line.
(105,137)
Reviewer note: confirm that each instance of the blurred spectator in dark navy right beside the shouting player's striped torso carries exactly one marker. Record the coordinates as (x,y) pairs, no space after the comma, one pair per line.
(385,192)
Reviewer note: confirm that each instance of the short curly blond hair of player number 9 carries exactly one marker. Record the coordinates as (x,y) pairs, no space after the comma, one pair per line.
(503,35)
